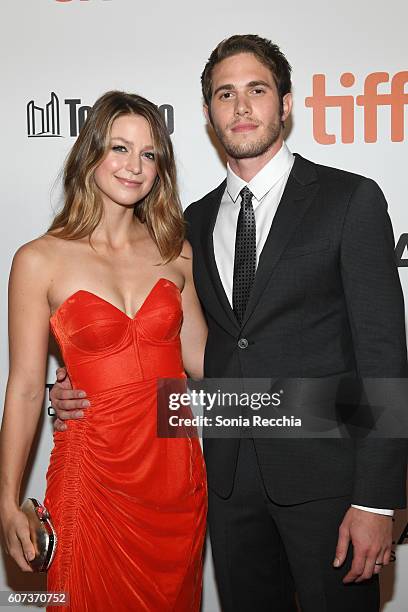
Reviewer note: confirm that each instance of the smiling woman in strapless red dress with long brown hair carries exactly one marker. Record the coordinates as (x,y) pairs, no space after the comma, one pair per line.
(113,278)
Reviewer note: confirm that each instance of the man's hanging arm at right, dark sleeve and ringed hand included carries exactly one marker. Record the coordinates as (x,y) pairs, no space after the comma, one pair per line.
(376,314)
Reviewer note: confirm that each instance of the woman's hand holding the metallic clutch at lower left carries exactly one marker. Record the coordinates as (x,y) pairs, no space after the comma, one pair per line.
(16,536)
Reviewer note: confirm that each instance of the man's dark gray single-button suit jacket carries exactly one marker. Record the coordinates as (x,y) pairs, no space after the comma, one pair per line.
(326,299)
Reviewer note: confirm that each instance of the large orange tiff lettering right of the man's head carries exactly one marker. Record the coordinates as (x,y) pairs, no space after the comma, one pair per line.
(370,100)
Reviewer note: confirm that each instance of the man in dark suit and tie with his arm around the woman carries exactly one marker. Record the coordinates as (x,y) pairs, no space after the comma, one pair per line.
(294,267)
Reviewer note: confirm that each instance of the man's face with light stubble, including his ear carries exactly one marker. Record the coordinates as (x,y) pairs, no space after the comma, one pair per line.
(245,110)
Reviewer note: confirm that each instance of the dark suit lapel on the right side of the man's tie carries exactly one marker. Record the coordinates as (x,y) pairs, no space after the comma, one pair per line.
(300,190)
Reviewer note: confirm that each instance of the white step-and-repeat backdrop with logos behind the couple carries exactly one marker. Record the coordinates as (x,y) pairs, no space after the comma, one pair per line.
(350,75)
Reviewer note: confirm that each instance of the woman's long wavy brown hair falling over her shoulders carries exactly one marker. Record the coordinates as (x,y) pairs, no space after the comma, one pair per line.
(82,210)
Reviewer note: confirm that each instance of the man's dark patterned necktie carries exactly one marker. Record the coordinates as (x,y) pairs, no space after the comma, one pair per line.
(245,255)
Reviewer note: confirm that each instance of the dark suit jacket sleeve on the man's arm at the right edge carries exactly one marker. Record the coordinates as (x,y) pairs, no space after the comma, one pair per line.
(377,318)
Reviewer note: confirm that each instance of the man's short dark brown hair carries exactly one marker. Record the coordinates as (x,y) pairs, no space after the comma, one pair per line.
(263,49)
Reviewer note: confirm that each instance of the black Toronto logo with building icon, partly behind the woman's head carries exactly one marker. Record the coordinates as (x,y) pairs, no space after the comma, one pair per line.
(45,121)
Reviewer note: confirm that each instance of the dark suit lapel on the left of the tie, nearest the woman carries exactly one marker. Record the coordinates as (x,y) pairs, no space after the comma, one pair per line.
(222,308)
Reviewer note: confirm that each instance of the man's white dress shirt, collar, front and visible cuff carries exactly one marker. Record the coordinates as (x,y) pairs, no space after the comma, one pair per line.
(267,188)
